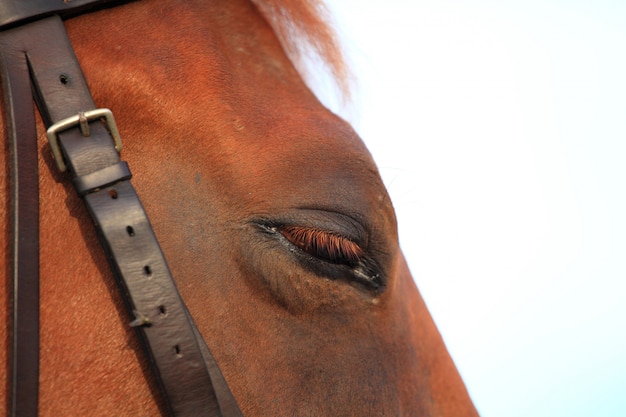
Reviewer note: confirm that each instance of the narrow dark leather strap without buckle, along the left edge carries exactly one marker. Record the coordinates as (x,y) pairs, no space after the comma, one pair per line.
(22,134)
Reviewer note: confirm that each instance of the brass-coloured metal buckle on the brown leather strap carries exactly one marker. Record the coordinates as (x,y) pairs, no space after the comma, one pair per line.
(81,120)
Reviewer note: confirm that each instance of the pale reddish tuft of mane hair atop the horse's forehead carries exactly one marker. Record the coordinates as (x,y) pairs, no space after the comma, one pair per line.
(304,29)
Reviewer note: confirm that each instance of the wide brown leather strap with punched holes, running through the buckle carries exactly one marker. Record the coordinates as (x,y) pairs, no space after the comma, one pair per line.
(181,362)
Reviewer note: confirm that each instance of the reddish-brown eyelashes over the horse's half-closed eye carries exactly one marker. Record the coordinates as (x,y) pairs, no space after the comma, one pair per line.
(323,244)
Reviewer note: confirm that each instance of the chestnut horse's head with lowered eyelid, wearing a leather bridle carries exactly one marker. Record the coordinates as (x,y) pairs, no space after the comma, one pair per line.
(271,213)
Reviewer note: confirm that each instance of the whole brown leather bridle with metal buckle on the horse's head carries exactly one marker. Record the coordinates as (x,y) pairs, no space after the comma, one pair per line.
(37,60)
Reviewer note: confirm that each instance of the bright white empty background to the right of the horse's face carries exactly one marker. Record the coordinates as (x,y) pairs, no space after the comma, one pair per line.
(500,128)
